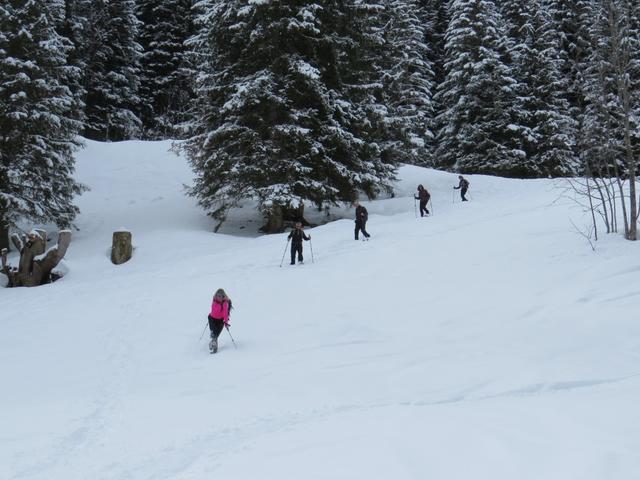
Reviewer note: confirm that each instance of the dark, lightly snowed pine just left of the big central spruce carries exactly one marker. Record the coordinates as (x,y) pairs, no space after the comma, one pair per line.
(165,83)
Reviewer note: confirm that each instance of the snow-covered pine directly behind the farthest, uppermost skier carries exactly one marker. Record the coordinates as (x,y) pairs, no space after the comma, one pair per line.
(476,127)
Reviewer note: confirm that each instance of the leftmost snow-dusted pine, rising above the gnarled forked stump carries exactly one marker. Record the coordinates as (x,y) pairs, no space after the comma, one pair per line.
(38,129)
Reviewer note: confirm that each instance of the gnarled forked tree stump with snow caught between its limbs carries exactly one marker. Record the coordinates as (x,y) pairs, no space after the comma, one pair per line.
(35,264)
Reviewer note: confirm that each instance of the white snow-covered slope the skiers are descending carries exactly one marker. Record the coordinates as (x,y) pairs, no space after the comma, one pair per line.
(485,342)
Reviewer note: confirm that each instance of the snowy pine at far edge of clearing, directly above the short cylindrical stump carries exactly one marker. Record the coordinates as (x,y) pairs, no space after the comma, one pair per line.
(112,72)
